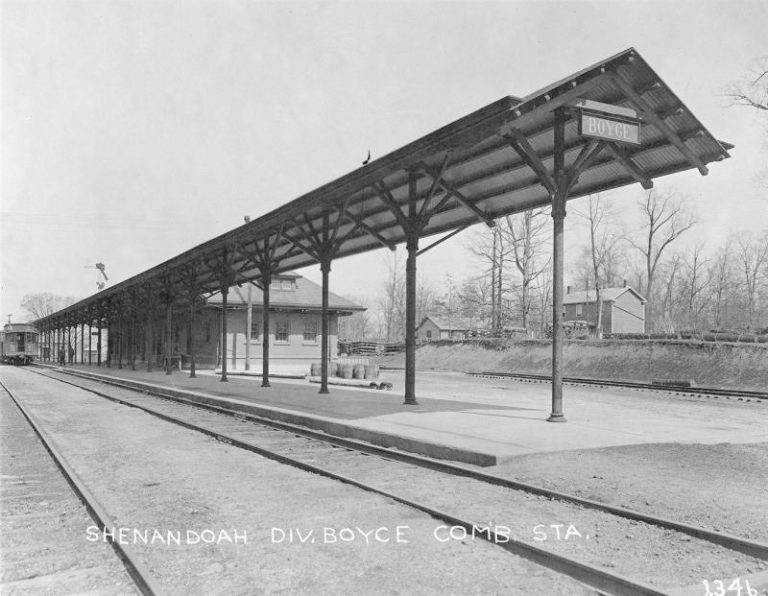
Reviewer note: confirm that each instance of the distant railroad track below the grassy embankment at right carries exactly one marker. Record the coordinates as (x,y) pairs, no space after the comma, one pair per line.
(670,387)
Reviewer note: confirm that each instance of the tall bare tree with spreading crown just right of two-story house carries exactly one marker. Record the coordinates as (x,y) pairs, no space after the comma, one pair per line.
(665,221)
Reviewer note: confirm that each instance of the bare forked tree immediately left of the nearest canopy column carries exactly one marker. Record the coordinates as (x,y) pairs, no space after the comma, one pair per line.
(525,233)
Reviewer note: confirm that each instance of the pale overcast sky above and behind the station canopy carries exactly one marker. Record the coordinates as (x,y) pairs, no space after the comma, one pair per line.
(133,131)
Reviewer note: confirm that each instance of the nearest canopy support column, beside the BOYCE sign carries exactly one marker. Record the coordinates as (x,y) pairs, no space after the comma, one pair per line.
(558,217)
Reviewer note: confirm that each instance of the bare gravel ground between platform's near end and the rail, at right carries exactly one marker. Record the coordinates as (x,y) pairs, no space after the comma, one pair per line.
(720,487)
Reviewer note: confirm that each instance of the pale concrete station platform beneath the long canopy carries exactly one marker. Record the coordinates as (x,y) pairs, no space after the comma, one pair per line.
(472,420)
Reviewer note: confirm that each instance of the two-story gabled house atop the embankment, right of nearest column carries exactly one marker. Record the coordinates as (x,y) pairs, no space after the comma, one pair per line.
(623,309)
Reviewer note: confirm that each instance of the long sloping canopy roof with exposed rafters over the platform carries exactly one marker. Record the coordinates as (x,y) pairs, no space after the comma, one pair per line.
(475,169)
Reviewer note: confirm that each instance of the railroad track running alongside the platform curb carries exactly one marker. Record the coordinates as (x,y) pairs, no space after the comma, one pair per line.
(402,477)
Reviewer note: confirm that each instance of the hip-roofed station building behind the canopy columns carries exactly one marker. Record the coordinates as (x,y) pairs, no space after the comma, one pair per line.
(295,325)
